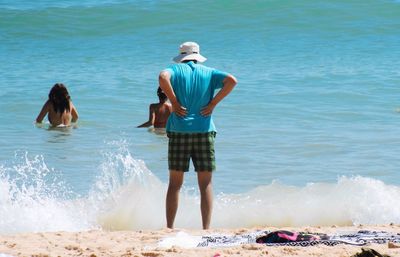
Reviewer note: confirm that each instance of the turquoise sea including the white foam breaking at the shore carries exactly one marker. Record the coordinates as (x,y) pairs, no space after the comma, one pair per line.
(310,135)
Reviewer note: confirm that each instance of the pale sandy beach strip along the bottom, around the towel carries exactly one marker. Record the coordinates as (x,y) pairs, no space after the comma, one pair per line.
(147,243)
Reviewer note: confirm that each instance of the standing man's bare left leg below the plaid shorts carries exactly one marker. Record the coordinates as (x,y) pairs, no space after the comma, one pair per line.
(175,184)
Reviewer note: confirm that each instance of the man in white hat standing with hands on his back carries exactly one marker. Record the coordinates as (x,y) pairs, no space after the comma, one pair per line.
(191,131)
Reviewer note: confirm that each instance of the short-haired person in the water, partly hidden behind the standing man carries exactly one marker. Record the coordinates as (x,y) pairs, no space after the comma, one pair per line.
(158,112)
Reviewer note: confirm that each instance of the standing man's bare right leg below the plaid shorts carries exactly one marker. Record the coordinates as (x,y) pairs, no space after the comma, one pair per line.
(204,179)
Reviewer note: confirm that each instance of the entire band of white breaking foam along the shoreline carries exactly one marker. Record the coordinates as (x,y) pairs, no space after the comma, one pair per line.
(128,196)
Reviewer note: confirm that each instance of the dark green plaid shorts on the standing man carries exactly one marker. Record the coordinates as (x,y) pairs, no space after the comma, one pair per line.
(198,146)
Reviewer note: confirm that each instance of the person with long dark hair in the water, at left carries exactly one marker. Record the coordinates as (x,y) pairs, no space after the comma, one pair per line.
(59,108)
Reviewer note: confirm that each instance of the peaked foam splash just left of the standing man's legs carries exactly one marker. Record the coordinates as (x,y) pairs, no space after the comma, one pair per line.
(129,194)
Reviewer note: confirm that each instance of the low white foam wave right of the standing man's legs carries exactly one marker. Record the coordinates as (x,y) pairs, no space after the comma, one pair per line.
(351,201)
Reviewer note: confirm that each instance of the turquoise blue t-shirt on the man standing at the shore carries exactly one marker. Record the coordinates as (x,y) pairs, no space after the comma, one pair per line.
(194,86)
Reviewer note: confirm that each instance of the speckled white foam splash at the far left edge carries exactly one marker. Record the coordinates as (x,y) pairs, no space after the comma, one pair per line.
(33,198)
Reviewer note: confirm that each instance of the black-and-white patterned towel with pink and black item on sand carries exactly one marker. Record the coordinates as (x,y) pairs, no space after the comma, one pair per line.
(287,238)
